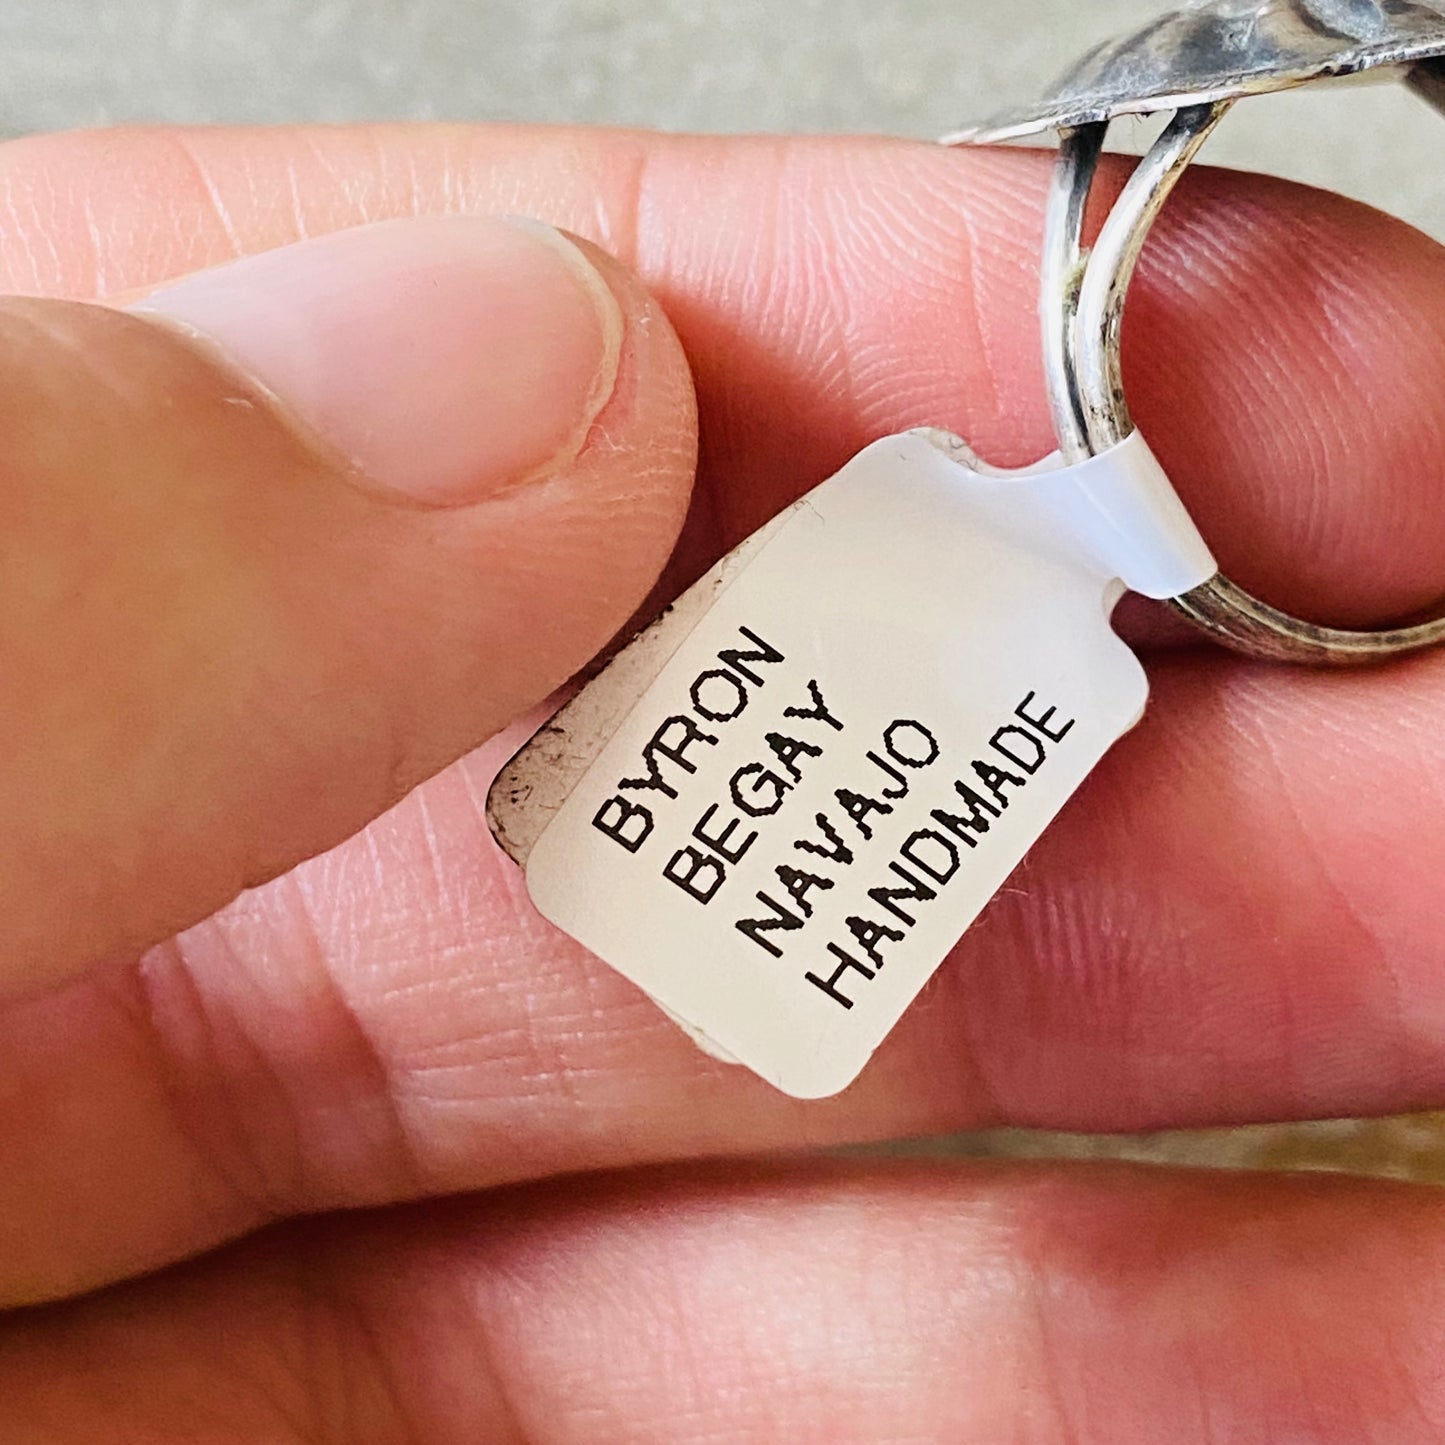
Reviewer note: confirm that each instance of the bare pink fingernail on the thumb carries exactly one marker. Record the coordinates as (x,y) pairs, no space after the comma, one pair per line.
(446,359)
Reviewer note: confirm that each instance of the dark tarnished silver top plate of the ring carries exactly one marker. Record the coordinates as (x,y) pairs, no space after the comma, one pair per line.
(1226,50)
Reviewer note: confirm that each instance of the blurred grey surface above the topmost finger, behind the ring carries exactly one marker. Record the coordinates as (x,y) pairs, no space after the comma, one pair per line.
(913,67)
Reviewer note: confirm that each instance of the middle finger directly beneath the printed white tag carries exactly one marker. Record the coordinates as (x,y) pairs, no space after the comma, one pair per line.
(394,1021)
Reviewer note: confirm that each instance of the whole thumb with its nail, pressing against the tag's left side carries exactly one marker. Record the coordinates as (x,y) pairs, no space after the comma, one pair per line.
(293,537)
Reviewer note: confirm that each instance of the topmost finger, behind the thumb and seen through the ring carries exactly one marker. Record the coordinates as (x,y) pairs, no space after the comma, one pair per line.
(1284,349)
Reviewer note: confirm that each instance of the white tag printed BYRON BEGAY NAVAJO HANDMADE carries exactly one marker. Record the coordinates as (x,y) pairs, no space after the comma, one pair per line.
(780,810)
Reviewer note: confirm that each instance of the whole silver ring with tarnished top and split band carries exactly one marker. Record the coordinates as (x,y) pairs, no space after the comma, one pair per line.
(1194,63)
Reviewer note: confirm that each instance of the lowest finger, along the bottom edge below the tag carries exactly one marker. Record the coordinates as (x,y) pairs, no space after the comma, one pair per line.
(824,1304)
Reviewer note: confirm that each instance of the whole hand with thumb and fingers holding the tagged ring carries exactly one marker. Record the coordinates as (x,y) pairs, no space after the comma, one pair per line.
(287,544)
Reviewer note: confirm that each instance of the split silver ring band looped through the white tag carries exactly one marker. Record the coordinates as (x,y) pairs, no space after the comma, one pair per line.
(1084,294)
